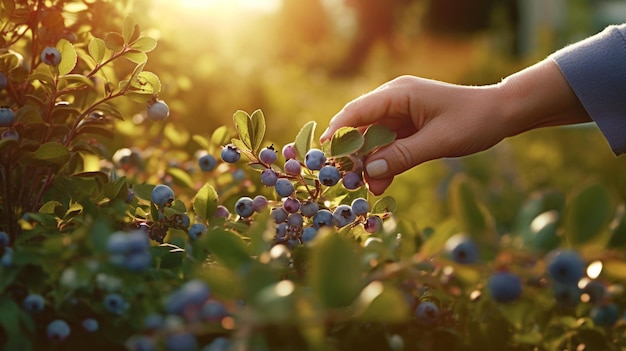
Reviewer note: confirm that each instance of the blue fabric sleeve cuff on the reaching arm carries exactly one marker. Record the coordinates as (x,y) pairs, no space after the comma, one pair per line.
(595,68)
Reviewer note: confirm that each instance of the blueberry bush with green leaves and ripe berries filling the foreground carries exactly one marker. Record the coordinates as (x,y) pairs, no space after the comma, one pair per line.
(248,245)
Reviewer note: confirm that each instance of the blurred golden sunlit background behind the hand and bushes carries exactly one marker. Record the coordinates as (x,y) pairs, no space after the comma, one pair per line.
(302,60)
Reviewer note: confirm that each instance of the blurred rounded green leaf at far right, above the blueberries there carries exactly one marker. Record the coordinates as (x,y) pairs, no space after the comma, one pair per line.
(588,214)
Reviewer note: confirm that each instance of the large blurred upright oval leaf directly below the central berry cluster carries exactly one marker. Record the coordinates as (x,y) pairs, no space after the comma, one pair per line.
(335,272)
